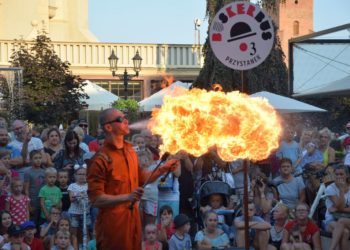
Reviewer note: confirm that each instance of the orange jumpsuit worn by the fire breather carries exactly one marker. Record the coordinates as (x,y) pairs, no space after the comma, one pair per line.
(115,171)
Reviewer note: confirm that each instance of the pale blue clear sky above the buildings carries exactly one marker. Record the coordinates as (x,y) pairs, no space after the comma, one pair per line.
(172,21)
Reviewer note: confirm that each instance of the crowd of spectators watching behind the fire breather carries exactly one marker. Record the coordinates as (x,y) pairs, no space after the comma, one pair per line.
(44,193)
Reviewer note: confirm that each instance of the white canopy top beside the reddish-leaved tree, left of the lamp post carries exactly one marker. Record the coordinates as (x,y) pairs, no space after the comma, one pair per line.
(99,98)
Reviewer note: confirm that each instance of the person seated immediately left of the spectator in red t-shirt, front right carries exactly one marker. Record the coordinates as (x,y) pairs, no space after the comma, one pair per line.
(280,217)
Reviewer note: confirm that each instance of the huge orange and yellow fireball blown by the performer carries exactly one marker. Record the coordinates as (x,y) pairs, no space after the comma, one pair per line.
(238,125)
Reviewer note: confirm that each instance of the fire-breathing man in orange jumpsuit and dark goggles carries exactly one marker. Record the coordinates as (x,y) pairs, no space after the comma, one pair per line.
(114,181)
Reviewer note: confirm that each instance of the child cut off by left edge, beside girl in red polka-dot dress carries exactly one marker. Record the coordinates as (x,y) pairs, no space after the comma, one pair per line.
(5,178)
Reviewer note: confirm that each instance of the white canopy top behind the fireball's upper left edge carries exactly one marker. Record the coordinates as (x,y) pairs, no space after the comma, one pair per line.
(156,100)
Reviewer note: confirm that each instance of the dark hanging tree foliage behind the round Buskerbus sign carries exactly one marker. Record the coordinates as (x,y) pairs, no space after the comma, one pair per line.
(271,75)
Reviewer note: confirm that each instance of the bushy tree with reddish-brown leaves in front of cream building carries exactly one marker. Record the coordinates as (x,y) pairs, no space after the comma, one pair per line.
(50,93)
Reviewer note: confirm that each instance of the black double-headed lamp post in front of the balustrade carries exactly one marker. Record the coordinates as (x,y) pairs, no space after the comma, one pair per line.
(113,65)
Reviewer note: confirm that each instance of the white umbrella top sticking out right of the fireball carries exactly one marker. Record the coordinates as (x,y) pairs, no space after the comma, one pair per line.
(285,104)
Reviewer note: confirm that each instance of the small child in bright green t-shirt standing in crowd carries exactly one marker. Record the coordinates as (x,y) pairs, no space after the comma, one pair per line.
(49,194)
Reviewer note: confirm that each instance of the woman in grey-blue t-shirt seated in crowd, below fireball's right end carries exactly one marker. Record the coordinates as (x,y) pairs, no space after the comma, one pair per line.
(290,189)
